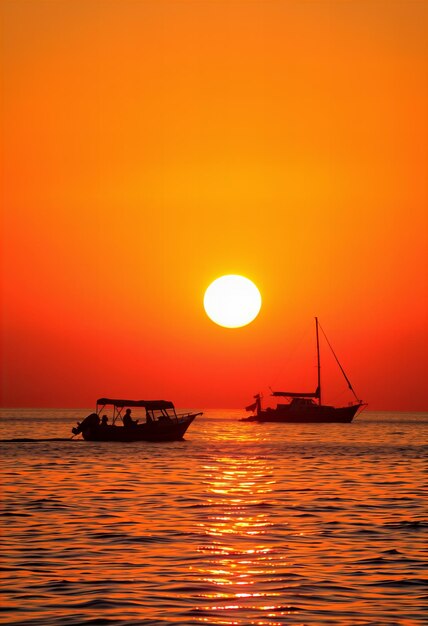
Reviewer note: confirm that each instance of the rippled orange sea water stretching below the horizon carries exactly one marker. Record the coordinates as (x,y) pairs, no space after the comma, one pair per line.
(239,524)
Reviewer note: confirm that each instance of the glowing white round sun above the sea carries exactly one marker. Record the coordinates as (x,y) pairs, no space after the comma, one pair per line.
(232,301)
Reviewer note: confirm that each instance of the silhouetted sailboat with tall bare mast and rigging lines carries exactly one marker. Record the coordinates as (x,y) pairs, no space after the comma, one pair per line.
(306,407)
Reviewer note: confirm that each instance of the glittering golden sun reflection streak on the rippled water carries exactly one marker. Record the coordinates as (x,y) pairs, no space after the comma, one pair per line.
(239,553)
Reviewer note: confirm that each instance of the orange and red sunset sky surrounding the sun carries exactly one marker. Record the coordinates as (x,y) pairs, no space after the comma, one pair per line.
(149,147)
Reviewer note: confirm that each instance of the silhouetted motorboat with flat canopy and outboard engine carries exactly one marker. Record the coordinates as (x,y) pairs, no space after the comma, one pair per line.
(161,422)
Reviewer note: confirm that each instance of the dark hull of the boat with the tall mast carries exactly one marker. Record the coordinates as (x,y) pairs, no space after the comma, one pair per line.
(287,413)
